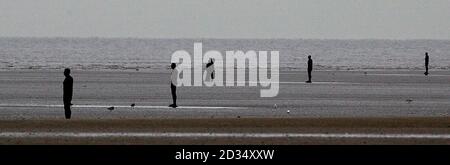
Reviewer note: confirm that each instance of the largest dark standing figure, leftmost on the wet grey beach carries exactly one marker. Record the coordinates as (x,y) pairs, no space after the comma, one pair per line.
(67,93)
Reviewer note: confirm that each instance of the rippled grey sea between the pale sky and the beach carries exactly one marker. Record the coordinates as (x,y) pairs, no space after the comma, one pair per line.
(155,54)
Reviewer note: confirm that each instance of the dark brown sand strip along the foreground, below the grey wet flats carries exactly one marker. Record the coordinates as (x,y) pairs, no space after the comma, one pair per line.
(437,125)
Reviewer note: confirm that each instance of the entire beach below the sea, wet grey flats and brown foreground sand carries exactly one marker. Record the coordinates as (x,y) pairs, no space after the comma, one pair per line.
(360,102)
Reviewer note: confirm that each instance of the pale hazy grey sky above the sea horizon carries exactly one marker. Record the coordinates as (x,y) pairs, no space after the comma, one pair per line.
(336,19)
